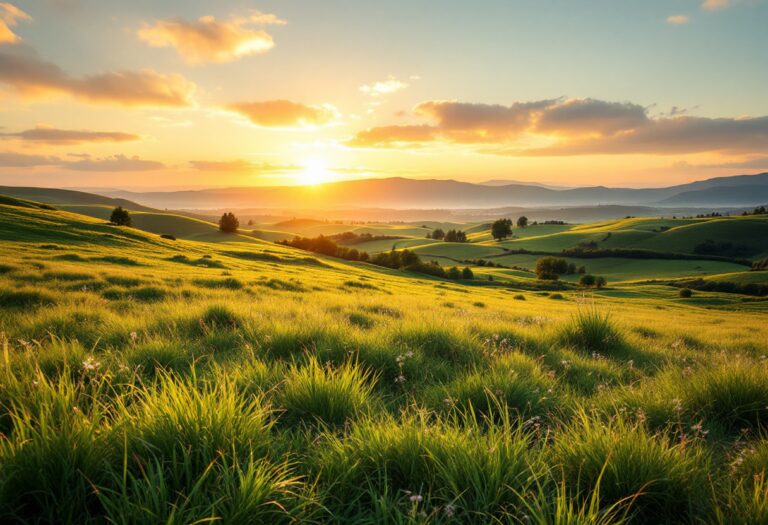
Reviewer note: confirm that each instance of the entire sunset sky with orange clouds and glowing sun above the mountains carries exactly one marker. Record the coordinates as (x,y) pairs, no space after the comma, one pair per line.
(178,94)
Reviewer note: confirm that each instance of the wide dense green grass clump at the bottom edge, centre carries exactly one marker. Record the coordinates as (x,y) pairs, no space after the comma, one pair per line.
(461,467)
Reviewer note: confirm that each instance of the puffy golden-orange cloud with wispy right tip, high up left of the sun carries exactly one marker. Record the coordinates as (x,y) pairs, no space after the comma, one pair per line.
(208,40)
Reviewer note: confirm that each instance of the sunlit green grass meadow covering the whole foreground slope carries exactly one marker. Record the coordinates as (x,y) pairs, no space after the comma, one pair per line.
(144,380)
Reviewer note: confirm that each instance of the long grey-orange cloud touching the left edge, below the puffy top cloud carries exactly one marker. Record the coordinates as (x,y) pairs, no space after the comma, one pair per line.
(30,75)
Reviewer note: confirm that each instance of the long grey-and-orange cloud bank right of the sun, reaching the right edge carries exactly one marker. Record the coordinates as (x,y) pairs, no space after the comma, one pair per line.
(569,127)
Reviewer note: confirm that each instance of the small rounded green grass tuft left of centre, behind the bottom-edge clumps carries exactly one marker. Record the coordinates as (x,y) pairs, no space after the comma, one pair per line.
(316,392)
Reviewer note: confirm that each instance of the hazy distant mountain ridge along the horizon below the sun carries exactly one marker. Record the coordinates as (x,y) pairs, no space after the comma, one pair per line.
(402,193)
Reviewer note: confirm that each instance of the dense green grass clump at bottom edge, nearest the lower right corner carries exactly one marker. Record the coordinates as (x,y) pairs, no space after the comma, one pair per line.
(661,478)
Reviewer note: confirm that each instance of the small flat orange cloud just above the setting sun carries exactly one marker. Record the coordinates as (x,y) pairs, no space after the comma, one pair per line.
(285,113)
